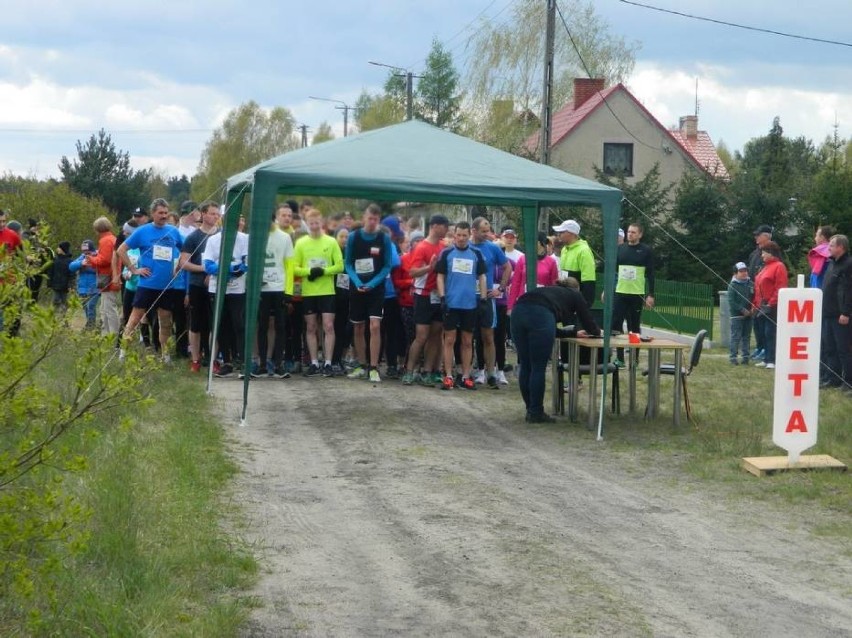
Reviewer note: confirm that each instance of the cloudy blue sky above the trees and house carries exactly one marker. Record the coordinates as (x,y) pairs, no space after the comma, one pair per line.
(161,76)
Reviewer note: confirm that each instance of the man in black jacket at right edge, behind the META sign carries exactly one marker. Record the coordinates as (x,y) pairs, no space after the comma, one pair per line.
(836,351)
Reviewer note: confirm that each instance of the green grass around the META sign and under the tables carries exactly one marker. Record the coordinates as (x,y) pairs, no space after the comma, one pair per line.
(732,410)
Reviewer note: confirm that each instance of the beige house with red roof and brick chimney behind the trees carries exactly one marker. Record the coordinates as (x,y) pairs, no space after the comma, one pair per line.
(610,129)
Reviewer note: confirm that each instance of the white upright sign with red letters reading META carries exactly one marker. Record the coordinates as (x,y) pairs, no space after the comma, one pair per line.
(794,426)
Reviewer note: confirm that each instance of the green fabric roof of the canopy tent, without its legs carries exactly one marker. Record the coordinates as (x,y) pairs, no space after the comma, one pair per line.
(415,160)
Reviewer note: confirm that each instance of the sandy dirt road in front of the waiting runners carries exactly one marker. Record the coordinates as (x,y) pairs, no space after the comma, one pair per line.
(392,511)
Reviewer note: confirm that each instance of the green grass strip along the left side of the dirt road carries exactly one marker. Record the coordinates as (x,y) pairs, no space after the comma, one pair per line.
(158,560)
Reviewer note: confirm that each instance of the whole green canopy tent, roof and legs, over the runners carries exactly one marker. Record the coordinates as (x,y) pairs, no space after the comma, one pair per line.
(412,161)
